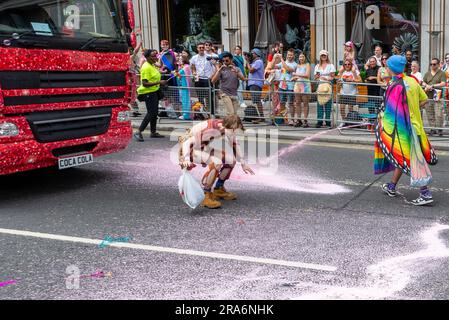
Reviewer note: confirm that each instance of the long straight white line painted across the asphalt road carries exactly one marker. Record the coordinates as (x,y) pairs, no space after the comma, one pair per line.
(213,255)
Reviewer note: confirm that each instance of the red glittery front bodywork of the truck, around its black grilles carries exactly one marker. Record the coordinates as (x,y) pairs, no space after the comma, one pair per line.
(23,152)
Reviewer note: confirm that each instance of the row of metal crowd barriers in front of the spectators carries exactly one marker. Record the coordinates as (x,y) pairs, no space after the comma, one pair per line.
(300,108)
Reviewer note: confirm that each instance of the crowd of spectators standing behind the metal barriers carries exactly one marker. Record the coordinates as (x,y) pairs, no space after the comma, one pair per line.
(292,81)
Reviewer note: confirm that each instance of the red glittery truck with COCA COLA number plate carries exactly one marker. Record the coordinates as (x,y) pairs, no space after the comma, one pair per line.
(65,81)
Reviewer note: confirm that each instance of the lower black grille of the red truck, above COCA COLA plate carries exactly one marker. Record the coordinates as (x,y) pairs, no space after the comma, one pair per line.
(54,126)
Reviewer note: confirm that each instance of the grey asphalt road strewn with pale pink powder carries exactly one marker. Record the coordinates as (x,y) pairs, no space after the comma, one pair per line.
(320,228)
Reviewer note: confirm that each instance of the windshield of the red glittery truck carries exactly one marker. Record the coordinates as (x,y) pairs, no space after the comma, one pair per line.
(93,25)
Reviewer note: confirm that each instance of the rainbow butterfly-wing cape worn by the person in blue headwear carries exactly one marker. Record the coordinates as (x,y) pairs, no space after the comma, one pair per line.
(397,144)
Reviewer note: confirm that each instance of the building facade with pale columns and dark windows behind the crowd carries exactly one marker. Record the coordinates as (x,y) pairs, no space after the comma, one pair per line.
(307,25)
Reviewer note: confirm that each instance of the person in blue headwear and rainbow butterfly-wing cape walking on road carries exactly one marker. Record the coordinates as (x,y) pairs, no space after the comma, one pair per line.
(402,145)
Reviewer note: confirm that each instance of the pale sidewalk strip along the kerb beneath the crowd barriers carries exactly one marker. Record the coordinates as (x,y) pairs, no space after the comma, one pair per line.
(345,136)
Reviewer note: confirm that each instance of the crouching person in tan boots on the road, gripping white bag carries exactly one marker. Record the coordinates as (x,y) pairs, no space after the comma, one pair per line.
(213,144)
